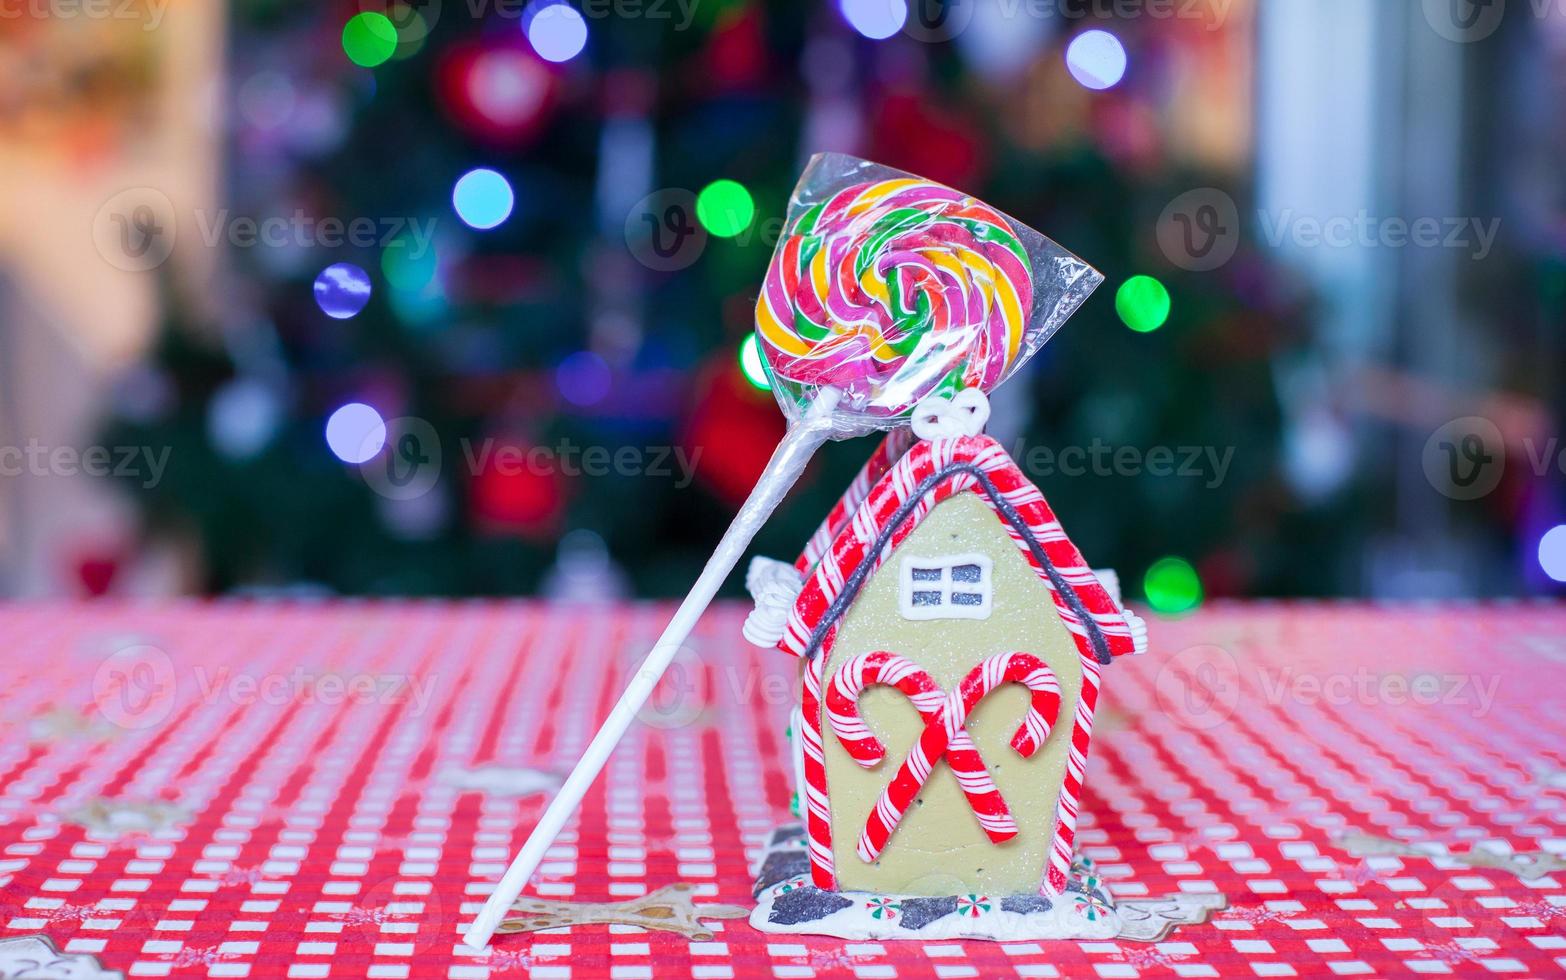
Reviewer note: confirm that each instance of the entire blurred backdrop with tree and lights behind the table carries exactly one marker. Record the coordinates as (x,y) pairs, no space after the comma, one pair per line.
(453,297)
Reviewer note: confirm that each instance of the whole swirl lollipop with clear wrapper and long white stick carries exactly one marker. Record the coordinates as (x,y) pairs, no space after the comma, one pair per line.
(884,290)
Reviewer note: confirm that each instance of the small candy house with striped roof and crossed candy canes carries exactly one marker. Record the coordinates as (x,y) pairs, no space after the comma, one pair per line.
(951,641)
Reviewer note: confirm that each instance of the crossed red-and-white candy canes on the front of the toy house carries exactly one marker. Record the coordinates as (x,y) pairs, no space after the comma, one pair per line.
(945,733)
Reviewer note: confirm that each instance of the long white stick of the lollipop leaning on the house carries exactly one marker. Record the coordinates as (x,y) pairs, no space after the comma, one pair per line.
(788,461)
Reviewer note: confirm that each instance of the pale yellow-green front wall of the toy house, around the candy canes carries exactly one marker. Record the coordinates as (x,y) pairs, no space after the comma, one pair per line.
(939,849)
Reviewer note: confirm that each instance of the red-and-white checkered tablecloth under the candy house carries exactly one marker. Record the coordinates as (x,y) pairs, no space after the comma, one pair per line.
(247,790)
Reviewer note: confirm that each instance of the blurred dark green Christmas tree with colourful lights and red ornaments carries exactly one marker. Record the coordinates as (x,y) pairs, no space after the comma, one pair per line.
(558,294)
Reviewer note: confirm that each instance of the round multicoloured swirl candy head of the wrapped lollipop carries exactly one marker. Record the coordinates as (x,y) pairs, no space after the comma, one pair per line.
(892,292)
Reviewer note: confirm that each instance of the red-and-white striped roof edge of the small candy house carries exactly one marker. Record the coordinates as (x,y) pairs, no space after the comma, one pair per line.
(939,470)
